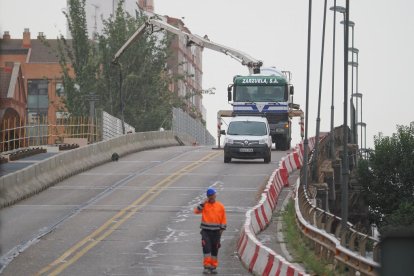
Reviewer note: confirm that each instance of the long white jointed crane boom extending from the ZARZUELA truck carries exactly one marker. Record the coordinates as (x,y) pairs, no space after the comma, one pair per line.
(245,59)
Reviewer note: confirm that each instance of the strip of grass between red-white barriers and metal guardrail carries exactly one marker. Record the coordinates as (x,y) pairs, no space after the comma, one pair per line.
(298,245)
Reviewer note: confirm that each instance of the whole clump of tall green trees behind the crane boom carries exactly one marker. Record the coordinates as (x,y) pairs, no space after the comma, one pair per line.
(140,75)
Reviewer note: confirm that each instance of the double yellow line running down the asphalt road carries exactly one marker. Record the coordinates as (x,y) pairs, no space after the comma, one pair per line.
(117,220)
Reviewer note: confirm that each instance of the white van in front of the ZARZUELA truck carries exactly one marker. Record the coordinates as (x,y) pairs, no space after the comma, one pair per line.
(248,137)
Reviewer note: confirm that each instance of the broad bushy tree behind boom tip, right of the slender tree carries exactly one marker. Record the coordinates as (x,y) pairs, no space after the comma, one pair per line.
(140,74)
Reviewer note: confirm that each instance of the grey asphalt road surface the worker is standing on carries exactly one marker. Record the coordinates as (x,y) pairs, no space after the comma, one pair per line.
(132,217)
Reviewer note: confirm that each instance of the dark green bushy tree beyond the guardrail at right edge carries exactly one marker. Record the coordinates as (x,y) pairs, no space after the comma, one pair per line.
(388,179)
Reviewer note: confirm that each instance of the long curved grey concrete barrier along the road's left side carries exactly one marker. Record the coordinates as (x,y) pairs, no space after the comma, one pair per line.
(39,176)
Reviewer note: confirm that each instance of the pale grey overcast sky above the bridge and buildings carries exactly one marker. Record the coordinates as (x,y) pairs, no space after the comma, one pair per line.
(275,31)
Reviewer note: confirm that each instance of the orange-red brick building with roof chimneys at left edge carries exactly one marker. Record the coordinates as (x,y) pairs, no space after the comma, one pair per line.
(30,79)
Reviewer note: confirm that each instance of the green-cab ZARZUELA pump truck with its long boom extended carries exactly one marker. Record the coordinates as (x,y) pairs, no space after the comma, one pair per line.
(264,92)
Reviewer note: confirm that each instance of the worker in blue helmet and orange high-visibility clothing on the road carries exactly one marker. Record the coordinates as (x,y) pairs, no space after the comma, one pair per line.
(213,223)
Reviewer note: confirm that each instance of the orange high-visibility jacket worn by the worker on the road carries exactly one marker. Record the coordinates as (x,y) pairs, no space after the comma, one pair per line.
(213,216)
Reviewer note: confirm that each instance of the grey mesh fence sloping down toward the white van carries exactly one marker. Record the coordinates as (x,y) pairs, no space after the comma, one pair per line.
(182,122)
